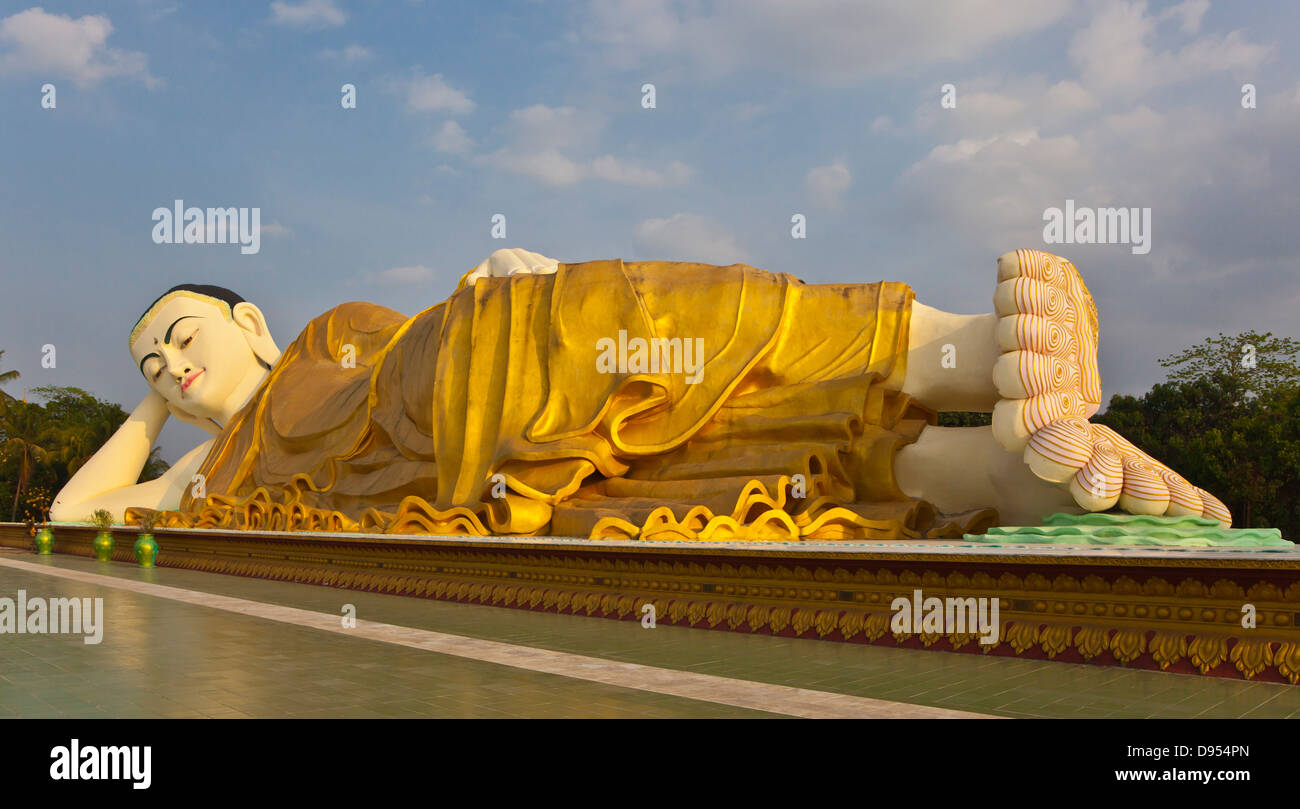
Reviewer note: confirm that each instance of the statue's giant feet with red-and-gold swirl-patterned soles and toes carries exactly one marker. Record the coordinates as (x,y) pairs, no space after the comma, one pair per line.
(1047,379)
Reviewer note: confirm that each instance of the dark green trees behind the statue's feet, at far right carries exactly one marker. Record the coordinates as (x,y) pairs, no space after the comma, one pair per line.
(1232,430)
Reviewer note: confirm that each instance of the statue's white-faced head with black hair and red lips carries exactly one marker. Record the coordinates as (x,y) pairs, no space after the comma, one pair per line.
(205,349)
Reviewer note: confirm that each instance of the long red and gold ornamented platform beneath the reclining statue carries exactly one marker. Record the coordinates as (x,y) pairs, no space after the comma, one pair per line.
(1165,608)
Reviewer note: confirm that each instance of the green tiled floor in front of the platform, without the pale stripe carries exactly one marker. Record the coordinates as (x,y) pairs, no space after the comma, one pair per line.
(161,657)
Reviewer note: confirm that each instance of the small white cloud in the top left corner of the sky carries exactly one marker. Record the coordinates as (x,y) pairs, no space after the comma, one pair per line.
(59,47)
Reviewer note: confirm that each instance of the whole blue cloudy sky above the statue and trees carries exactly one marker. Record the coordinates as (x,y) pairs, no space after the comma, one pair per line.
(534,110)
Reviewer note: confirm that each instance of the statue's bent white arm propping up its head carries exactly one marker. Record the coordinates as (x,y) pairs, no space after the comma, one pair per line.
(109,479)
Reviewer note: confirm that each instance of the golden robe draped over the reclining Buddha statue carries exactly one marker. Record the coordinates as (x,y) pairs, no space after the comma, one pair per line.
(495,413)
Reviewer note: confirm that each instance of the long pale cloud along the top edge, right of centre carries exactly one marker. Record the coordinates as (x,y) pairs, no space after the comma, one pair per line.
(824,41)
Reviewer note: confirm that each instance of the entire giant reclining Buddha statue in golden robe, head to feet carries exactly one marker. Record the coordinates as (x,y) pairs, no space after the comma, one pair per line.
(634,400)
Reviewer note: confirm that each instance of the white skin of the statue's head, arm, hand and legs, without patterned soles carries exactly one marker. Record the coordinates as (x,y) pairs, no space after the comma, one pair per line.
(203,364)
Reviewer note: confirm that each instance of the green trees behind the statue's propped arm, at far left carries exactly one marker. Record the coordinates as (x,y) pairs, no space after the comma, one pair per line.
(42,445)
